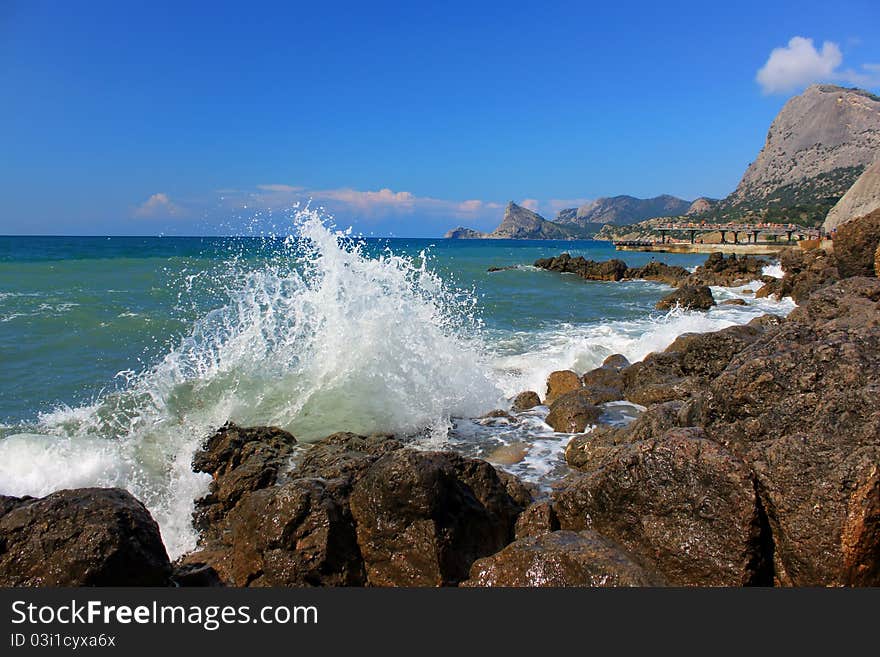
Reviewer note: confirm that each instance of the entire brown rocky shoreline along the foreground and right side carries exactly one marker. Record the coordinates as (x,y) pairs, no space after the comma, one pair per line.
(756,462)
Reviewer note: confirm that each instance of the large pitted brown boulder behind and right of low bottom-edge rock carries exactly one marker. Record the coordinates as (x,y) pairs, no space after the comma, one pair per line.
(680,504)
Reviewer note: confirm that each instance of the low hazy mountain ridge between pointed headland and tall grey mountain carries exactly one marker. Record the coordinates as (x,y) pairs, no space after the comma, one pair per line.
(622,210)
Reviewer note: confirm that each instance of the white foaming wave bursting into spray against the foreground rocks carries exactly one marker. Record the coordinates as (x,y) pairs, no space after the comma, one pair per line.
(322,339)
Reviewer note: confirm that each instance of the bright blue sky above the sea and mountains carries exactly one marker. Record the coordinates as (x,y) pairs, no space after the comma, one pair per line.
(401,118)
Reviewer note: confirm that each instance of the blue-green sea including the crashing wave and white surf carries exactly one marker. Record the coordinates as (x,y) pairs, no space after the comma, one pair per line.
(120,355)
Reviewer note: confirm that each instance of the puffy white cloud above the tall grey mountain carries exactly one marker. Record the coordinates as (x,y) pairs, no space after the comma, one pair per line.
(800,63)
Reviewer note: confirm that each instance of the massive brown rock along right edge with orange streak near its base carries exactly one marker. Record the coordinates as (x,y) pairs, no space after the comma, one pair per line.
(799,406)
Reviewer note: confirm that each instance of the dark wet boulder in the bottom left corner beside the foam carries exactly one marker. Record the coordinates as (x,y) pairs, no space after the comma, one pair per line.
(80,537)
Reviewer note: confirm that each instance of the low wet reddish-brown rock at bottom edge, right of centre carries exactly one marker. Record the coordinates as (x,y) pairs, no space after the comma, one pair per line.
(561,558)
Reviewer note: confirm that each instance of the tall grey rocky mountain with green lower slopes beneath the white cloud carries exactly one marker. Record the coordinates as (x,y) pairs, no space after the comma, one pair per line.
(816,148)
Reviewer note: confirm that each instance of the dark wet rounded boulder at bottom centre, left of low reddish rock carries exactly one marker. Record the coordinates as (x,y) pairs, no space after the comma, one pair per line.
(424,517)
